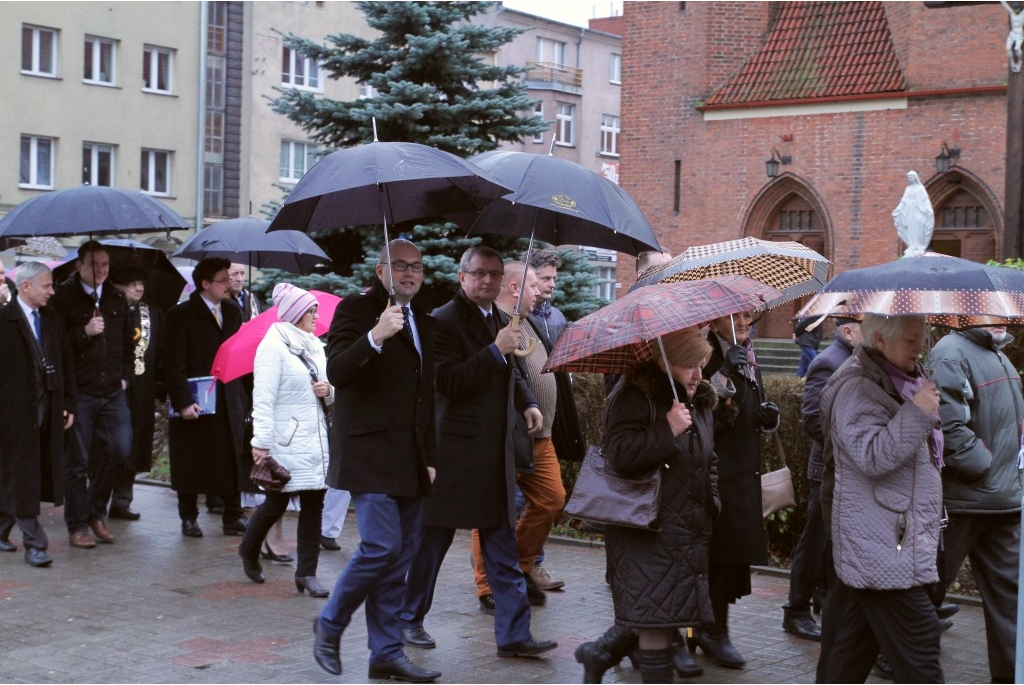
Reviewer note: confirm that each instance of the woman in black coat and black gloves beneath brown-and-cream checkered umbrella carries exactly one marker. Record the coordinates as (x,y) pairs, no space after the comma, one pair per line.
(739,541)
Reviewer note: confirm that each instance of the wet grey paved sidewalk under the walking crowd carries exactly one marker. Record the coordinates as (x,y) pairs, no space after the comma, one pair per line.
(156,608)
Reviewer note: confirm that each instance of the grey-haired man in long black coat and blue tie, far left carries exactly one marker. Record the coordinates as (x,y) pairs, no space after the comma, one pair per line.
(36,367)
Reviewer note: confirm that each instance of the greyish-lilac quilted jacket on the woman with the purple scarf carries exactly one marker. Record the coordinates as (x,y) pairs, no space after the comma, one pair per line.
(888,494)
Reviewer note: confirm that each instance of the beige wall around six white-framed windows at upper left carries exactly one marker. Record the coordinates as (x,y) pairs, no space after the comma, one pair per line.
(73,112)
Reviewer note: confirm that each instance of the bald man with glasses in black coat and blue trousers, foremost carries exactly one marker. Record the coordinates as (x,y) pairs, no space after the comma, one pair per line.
(381,363)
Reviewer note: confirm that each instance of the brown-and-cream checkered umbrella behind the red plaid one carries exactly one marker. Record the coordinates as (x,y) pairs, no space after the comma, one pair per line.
(788,267)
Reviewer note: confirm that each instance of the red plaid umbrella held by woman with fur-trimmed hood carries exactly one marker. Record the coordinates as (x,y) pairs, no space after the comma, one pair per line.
(625,333)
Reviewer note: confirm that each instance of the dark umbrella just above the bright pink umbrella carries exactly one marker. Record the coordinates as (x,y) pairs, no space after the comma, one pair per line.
(245,241)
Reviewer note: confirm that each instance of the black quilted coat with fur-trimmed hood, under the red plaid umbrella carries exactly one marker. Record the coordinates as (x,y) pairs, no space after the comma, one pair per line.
(660,580)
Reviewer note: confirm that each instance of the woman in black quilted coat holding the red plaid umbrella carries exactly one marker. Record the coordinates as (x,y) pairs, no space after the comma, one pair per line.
(660,580)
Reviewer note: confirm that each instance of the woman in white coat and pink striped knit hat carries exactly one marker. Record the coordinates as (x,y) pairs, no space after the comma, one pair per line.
(290,425)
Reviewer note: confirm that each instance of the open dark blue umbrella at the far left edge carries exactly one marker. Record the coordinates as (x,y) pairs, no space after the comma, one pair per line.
(89,210)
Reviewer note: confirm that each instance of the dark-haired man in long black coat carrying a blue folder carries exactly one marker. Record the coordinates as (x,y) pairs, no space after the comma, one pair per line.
(203,447)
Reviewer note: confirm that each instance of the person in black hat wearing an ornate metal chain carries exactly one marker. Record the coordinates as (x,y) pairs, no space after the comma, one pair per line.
(146,322)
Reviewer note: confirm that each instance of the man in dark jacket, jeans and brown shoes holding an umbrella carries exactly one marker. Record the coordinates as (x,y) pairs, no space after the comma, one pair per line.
(96,318)
